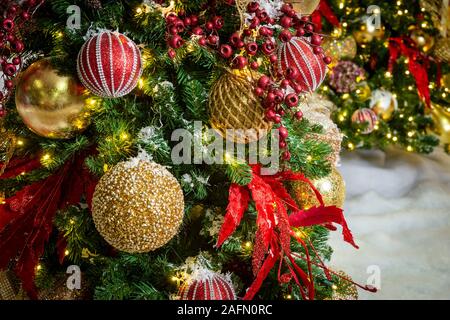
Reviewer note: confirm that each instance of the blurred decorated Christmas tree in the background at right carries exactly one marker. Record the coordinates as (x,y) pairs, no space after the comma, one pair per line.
(390,74)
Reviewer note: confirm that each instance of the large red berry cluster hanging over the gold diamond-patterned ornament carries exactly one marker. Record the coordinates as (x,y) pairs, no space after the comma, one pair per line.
(280,91)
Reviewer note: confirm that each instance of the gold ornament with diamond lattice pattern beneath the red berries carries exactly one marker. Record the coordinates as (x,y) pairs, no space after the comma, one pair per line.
(235,111)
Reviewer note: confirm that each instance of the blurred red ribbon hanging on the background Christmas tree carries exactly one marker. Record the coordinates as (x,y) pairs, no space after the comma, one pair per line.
(418,64)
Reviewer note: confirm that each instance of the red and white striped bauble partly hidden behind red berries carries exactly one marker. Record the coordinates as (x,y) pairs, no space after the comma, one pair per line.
(299,53)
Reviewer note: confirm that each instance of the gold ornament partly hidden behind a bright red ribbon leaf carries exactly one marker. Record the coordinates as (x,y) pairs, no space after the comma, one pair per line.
(332,189)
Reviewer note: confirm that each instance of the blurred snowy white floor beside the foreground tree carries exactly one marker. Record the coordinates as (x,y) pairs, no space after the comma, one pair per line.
(398,208)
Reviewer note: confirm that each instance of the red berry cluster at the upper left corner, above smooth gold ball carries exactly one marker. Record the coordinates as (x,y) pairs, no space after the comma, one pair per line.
(11,46)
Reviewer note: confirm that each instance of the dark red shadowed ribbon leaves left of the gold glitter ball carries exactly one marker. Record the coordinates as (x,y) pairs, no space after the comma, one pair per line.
(26,219)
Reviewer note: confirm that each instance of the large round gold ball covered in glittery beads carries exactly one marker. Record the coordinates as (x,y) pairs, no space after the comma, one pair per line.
(138,206)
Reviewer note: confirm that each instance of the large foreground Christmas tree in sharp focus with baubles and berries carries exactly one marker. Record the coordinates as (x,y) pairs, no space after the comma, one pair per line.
(160,149)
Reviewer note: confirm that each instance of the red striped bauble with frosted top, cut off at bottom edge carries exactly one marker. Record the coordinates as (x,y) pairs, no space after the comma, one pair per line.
(207,285)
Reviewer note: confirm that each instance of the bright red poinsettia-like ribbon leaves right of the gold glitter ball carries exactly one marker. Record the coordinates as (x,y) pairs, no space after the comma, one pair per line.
(274,227)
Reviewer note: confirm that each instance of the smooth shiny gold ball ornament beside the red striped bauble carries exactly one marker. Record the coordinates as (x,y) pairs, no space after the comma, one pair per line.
(51,104)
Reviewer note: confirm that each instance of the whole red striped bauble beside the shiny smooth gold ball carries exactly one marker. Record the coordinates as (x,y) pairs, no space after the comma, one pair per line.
(109,64)
